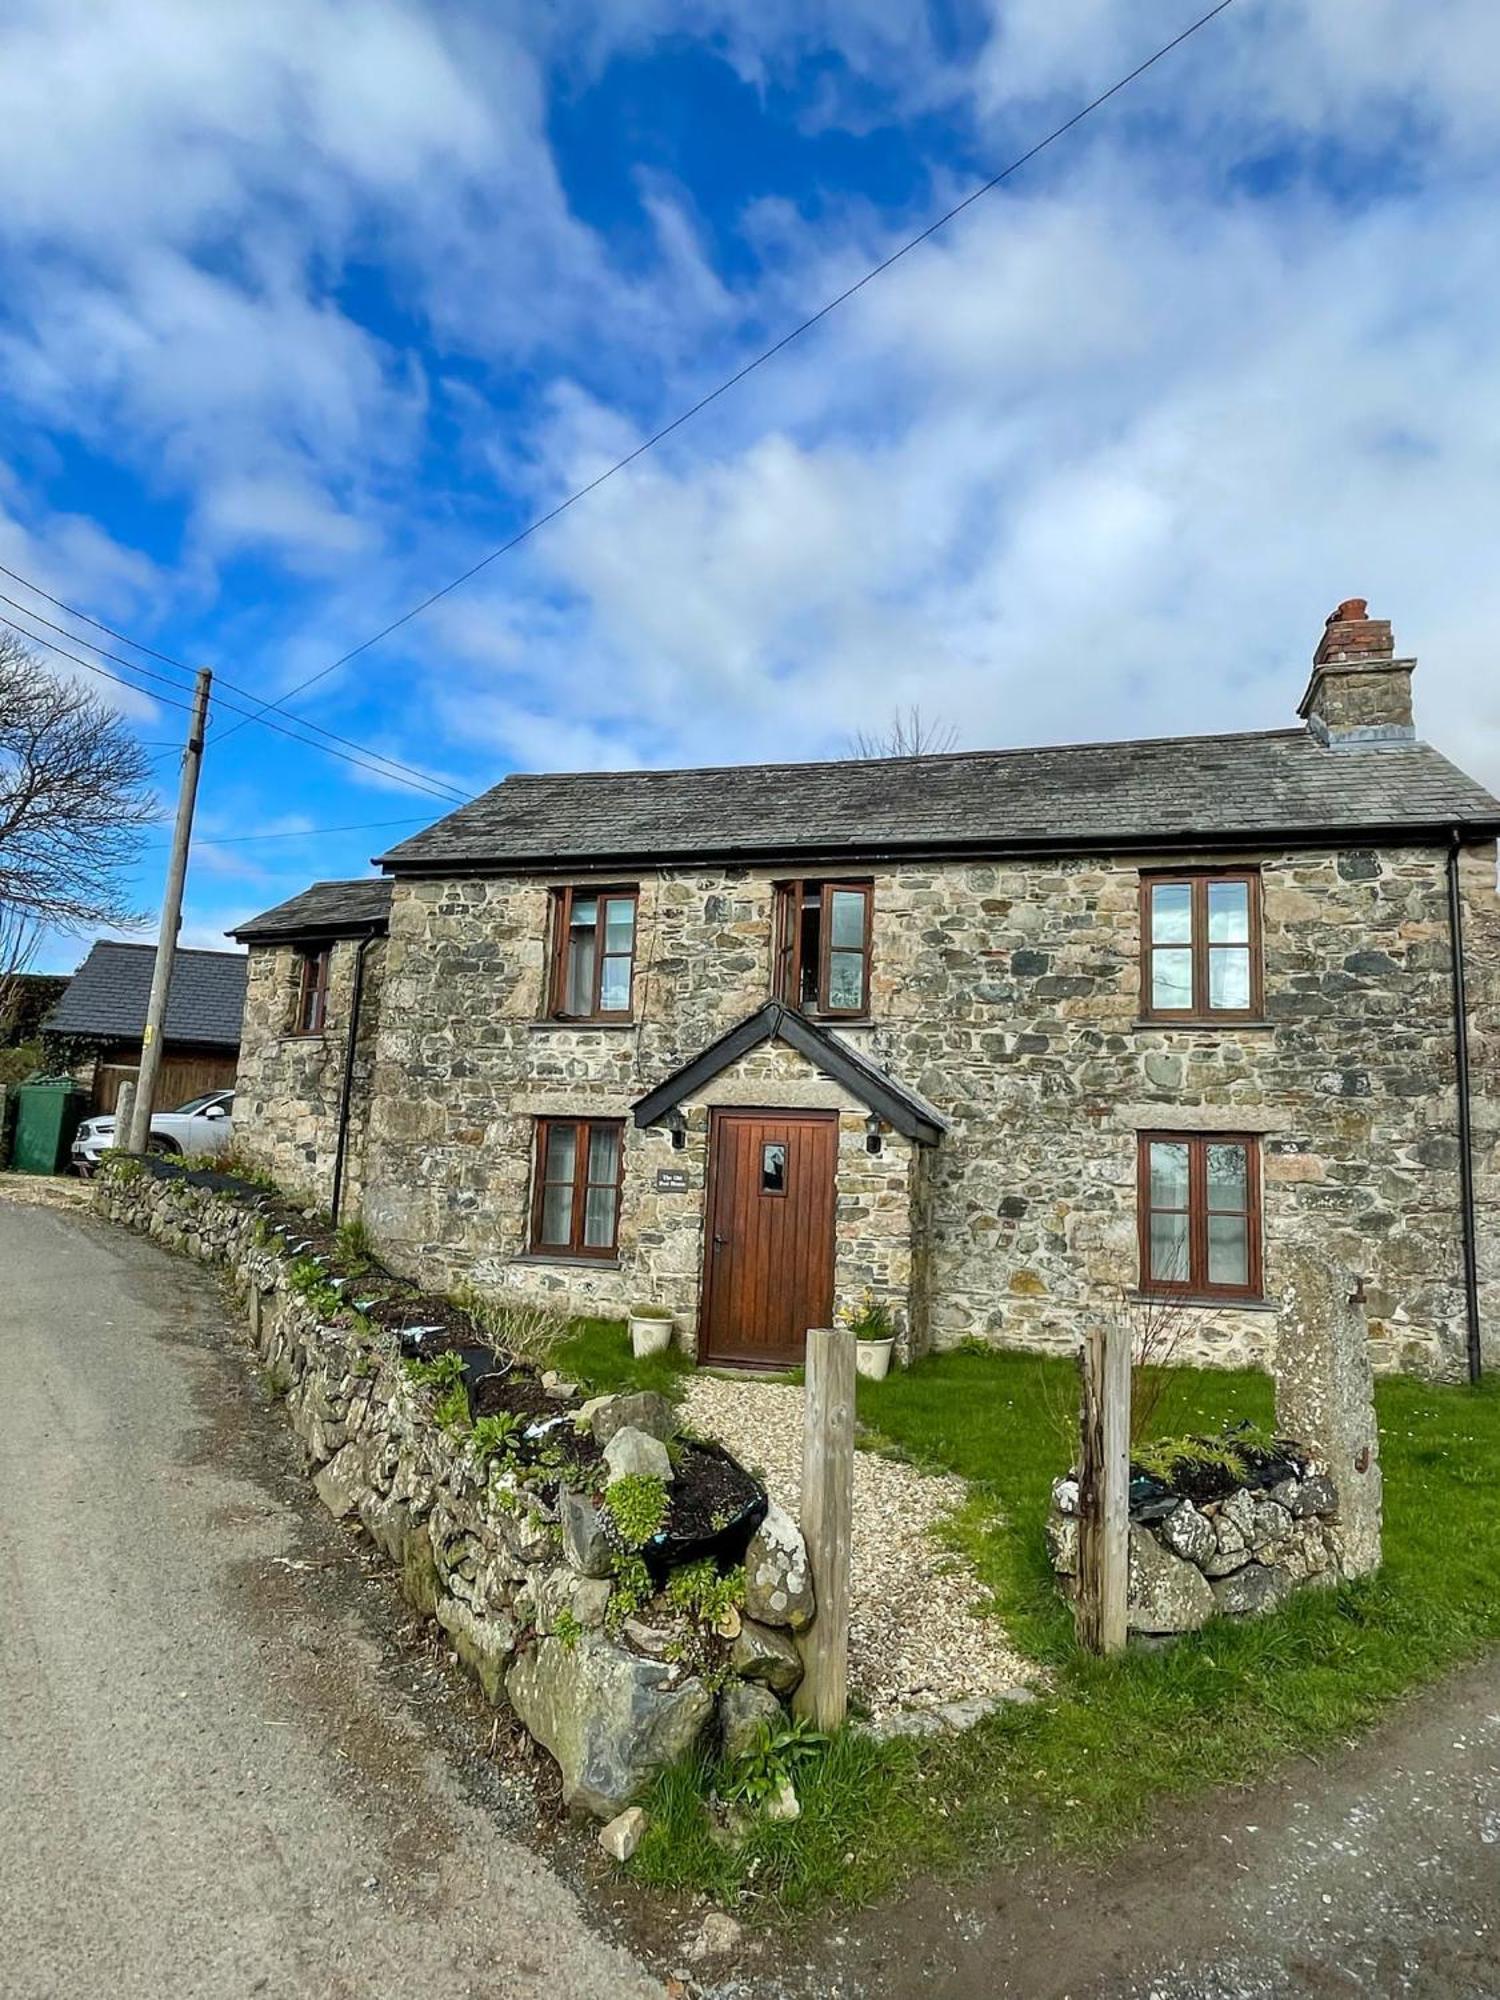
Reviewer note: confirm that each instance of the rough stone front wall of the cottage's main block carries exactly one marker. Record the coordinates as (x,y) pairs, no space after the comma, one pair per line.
(1007,995)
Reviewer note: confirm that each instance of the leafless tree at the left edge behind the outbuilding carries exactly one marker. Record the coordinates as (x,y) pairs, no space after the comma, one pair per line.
(73,803)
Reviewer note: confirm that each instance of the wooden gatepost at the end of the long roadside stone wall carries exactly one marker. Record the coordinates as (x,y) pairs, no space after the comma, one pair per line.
(827,1521)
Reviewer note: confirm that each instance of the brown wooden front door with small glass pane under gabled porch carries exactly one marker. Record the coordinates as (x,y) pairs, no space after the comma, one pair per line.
(769,1245)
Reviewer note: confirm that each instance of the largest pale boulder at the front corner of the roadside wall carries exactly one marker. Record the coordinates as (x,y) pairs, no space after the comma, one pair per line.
(609,1717)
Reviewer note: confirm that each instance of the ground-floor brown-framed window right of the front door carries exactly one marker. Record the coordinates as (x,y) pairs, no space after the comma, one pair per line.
(1201,1215)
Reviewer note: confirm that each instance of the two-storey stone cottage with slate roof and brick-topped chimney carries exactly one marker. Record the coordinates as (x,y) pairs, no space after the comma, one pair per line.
(999,1037)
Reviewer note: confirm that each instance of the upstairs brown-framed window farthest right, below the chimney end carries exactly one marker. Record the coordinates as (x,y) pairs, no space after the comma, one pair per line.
(1201,947)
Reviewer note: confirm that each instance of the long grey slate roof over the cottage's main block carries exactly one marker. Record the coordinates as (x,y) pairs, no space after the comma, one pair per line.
(1071,799)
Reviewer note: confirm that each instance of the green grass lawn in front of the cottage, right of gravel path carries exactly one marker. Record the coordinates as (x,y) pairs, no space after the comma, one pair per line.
(1115,1743)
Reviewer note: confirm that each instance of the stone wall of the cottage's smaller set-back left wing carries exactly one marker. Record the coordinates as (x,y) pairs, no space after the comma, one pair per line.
(289,1085)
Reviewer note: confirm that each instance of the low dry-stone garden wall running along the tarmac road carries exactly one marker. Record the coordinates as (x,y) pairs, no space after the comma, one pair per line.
(519,1583)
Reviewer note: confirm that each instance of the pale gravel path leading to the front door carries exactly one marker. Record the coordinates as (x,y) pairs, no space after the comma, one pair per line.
(915,1639)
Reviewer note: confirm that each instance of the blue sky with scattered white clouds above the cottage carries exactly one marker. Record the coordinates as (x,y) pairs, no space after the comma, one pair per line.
(305,305)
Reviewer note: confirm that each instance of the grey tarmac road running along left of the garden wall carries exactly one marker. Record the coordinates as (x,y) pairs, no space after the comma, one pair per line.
(213,1779)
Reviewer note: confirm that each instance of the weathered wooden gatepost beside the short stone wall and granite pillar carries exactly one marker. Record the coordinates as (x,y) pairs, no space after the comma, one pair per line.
(1105,1491)
